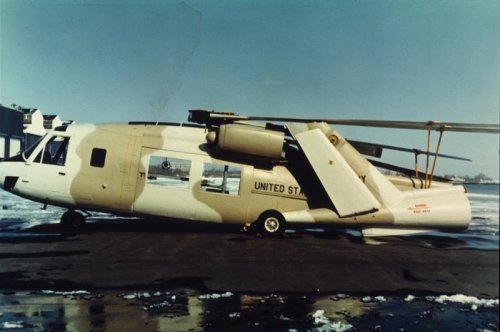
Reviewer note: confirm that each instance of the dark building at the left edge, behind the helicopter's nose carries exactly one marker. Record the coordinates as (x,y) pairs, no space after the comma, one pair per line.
(11,132)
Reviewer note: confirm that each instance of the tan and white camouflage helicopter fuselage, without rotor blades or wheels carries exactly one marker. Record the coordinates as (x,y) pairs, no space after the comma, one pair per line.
(170,171)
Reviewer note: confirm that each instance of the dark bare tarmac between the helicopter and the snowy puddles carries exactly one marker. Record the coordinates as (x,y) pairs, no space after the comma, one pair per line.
(142,255)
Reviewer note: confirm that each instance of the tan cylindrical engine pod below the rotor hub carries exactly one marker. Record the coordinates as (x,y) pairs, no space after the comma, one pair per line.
(247,140)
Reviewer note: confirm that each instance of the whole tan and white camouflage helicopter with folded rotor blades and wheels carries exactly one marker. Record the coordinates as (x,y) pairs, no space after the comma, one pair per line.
(226,168)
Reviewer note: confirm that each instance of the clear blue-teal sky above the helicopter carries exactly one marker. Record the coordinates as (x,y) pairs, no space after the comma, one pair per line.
(115,61)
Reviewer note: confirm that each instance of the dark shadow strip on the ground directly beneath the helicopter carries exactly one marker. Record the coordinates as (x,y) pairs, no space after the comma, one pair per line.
(174,226)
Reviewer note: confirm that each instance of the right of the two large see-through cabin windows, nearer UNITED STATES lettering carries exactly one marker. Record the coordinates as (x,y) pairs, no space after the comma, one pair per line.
(222,179)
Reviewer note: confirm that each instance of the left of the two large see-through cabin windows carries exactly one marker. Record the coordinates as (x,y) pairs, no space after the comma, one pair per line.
(169,172)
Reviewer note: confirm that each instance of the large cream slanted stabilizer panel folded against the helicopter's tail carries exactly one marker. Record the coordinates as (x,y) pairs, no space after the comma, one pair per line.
(345,189)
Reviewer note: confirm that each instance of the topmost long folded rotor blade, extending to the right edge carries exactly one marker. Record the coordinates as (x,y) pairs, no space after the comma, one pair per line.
(205,116)
